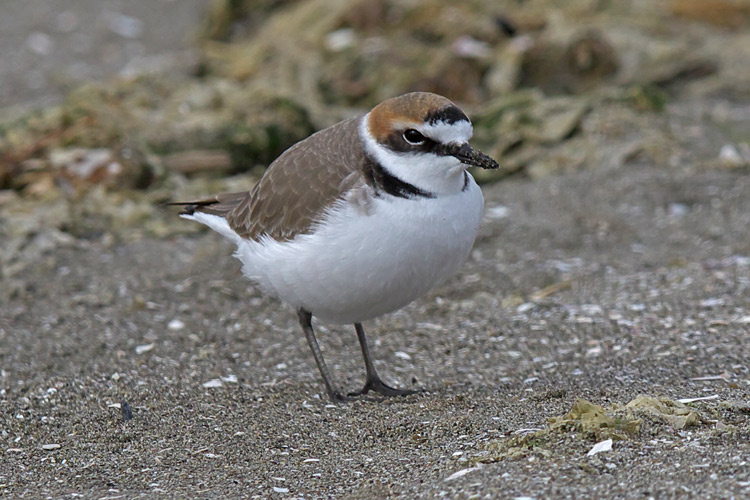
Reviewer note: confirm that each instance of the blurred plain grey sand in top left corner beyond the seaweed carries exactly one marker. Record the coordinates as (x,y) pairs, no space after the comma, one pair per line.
(47,50)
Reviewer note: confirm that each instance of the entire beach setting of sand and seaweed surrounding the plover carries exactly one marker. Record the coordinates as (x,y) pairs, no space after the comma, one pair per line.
(613,259)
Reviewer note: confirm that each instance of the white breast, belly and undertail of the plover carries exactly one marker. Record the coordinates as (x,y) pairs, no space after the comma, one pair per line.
(357,266)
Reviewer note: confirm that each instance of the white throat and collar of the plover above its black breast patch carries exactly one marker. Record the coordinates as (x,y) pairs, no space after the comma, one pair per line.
(439,175)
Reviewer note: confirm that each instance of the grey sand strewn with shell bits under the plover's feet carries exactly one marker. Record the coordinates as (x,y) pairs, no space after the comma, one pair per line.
(602,284)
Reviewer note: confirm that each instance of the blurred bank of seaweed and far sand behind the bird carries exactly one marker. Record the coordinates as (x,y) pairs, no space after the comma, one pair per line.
(108,107)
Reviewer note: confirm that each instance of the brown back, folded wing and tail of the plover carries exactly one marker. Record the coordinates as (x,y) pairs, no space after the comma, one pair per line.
(297,187)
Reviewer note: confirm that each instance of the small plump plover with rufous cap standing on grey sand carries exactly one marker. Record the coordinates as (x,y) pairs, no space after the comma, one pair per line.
(359,219)
